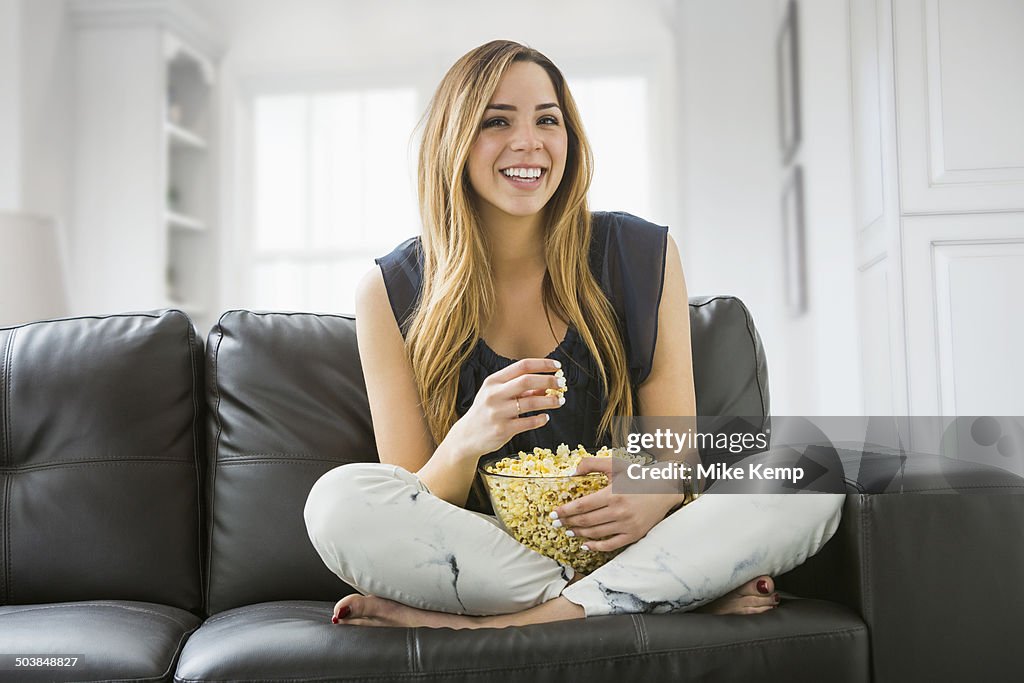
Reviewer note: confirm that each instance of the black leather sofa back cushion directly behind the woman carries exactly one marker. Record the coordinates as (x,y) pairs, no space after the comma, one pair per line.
(287,403)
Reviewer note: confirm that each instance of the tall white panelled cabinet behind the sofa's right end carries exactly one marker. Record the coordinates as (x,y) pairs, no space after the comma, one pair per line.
(940,164)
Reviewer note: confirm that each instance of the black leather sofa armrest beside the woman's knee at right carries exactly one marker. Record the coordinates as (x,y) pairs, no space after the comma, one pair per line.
(931,553)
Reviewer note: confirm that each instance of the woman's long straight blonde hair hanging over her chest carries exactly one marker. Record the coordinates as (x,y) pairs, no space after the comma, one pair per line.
(458,295)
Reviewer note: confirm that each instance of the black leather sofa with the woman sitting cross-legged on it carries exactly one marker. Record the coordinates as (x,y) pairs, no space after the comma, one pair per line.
(152,529)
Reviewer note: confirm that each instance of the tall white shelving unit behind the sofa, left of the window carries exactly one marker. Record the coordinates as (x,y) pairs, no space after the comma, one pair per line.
(143,233)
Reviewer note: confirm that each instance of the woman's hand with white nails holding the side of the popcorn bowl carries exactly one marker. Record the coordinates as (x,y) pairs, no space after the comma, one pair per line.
(619,520)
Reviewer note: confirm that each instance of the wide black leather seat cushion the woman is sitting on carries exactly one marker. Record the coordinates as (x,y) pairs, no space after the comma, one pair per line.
(802,641)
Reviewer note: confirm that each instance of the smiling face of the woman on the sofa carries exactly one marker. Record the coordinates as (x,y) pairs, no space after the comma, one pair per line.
(519,157)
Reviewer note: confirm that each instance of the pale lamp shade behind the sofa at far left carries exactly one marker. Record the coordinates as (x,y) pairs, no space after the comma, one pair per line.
(32,282)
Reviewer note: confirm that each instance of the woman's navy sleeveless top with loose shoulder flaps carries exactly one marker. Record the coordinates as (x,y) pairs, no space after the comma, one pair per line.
(627,258)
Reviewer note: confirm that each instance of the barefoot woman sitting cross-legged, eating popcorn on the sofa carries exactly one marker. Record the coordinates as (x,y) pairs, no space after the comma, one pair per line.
(511,265)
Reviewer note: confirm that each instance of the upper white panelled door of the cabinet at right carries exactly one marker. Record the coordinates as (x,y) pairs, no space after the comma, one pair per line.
(960,68)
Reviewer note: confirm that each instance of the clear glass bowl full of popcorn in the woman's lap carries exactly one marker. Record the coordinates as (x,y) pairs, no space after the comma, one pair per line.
(526,489)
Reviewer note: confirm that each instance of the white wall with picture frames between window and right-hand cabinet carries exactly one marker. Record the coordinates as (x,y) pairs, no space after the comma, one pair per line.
(734,182)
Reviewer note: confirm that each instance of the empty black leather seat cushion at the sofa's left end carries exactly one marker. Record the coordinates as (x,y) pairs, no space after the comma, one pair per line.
(113,639)
